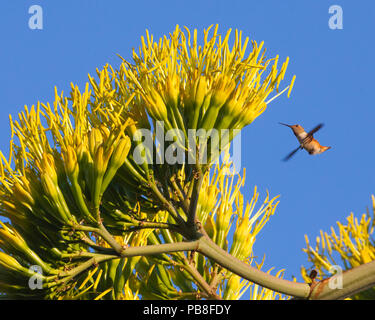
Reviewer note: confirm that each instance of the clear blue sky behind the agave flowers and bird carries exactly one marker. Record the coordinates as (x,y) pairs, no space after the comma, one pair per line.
(333,85)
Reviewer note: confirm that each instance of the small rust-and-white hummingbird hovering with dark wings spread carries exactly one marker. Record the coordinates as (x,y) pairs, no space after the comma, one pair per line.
(306,140)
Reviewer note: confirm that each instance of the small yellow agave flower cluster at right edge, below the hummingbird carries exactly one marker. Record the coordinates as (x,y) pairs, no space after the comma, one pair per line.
(348,247)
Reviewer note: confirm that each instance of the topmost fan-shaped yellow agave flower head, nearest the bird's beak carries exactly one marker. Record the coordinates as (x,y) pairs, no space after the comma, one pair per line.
(190,87)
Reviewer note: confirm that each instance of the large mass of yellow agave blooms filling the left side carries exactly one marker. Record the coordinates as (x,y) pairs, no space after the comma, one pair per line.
(75,198)
